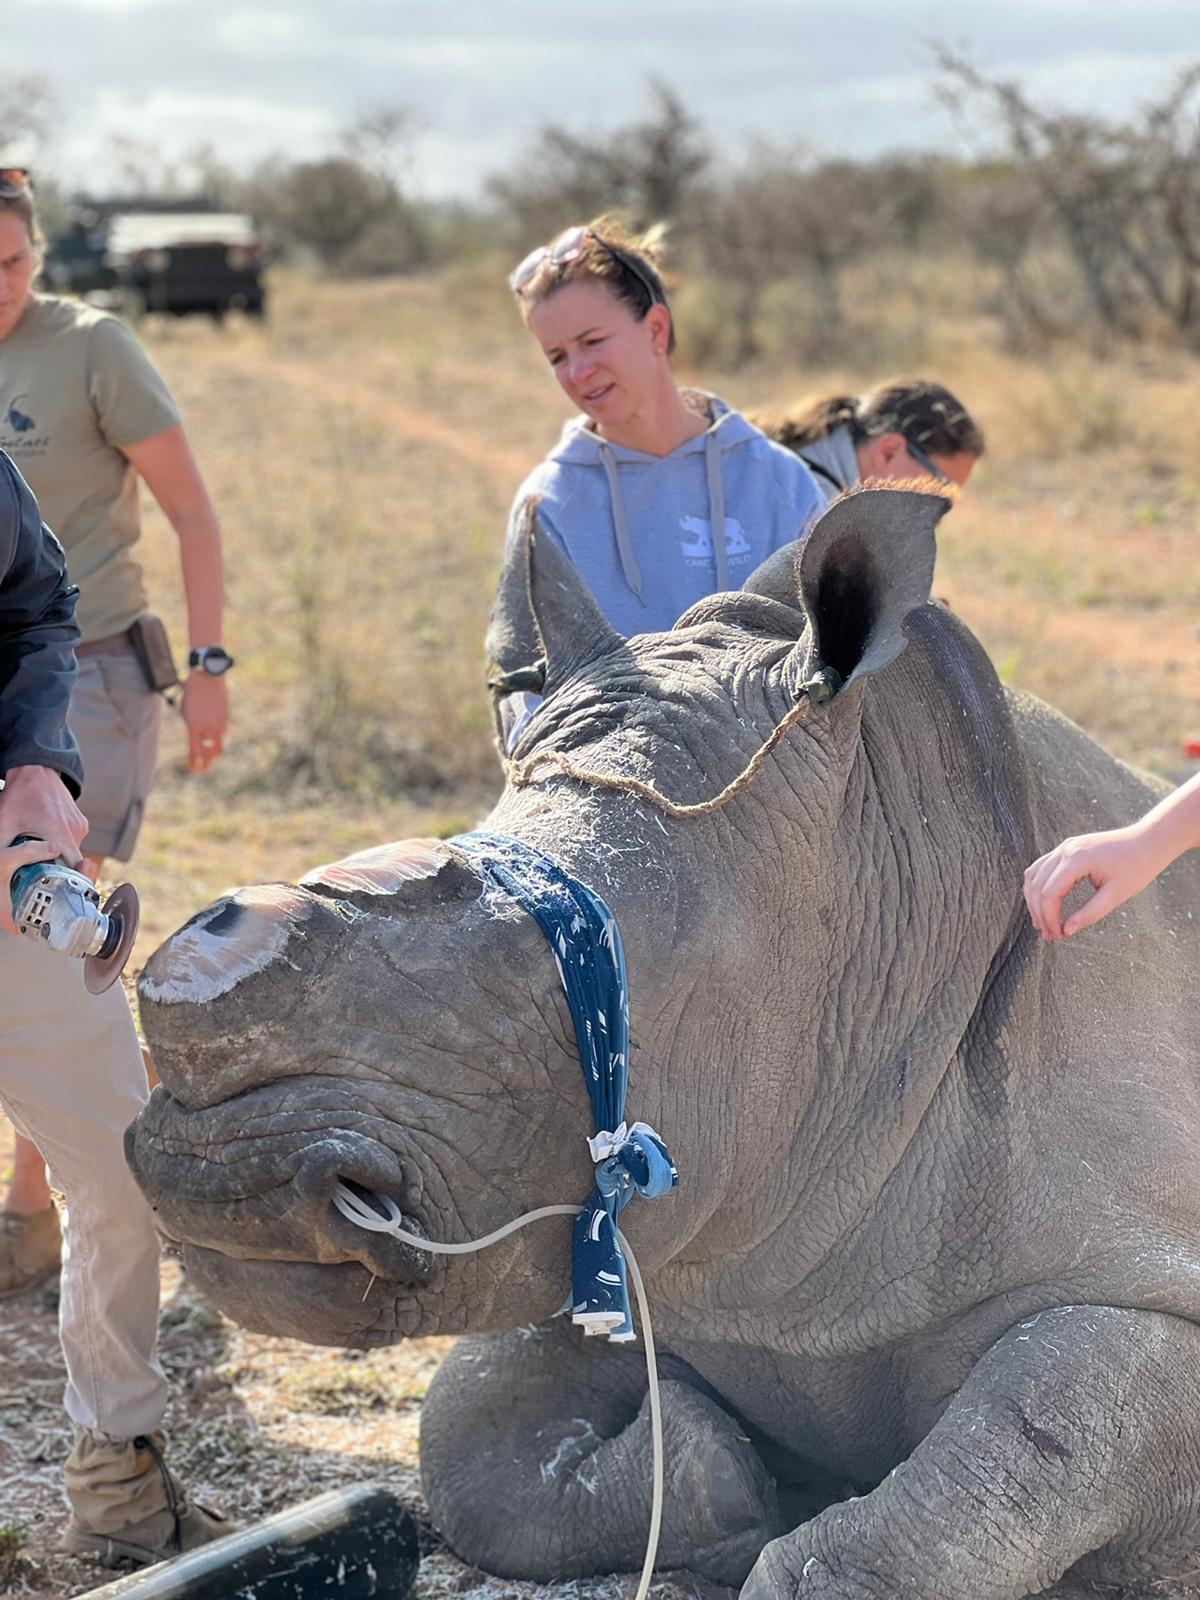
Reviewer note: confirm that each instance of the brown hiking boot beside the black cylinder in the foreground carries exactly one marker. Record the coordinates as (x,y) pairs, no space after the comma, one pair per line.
(129,1510)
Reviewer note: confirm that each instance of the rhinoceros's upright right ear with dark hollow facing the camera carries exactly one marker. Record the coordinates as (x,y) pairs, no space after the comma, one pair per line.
(865,567)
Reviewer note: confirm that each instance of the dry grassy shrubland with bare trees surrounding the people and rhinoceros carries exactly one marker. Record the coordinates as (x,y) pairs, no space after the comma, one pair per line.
(364,447)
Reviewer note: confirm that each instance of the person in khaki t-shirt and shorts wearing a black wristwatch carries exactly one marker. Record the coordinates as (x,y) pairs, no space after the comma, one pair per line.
(84,415)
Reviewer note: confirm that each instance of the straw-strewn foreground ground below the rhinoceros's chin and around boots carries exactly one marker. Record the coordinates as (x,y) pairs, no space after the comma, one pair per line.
(255,1426)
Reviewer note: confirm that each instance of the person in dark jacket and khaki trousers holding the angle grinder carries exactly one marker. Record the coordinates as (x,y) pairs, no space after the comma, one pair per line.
(73,1081)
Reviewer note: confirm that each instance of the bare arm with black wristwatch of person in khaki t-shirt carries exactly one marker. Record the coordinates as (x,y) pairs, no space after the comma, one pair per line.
(170,471)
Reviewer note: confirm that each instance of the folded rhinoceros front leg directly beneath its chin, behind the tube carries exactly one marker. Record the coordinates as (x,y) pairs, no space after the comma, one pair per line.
(537,1463)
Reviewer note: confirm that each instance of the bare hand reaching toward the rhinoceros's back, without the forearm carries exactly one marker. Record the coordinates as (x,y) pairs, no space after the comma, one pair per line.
(1118,865)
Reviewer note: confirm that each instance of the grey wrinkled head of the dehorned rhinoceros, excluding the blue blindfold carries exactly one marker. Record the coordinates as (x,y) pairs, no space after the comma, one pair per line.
(396,1023)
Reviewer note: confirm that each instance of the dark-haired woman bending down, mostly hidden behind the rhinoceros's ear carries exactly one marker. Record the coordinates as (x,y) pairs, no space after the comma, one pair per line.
(905,430)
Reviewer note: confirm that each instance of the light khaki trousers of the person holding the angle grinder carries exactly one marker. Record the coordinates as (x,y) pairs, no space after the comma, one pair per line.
(73,1081)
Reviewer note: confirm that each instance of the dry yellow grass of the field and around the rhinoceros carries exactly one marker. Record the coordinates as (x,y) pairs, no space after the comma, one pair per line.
(364,449)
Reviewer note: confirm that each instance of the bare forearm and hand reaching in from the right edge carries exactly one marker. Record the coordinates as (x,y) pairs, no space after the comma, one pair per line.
(1118,865)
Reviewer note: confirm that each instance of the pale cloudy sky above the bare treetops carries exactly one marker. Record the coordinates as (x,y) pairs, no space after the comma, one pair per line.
(482,76)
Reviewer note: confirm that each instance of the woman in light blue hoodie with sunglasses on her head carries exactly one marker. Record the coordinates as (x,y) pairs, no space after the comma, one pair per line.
(658,495)
